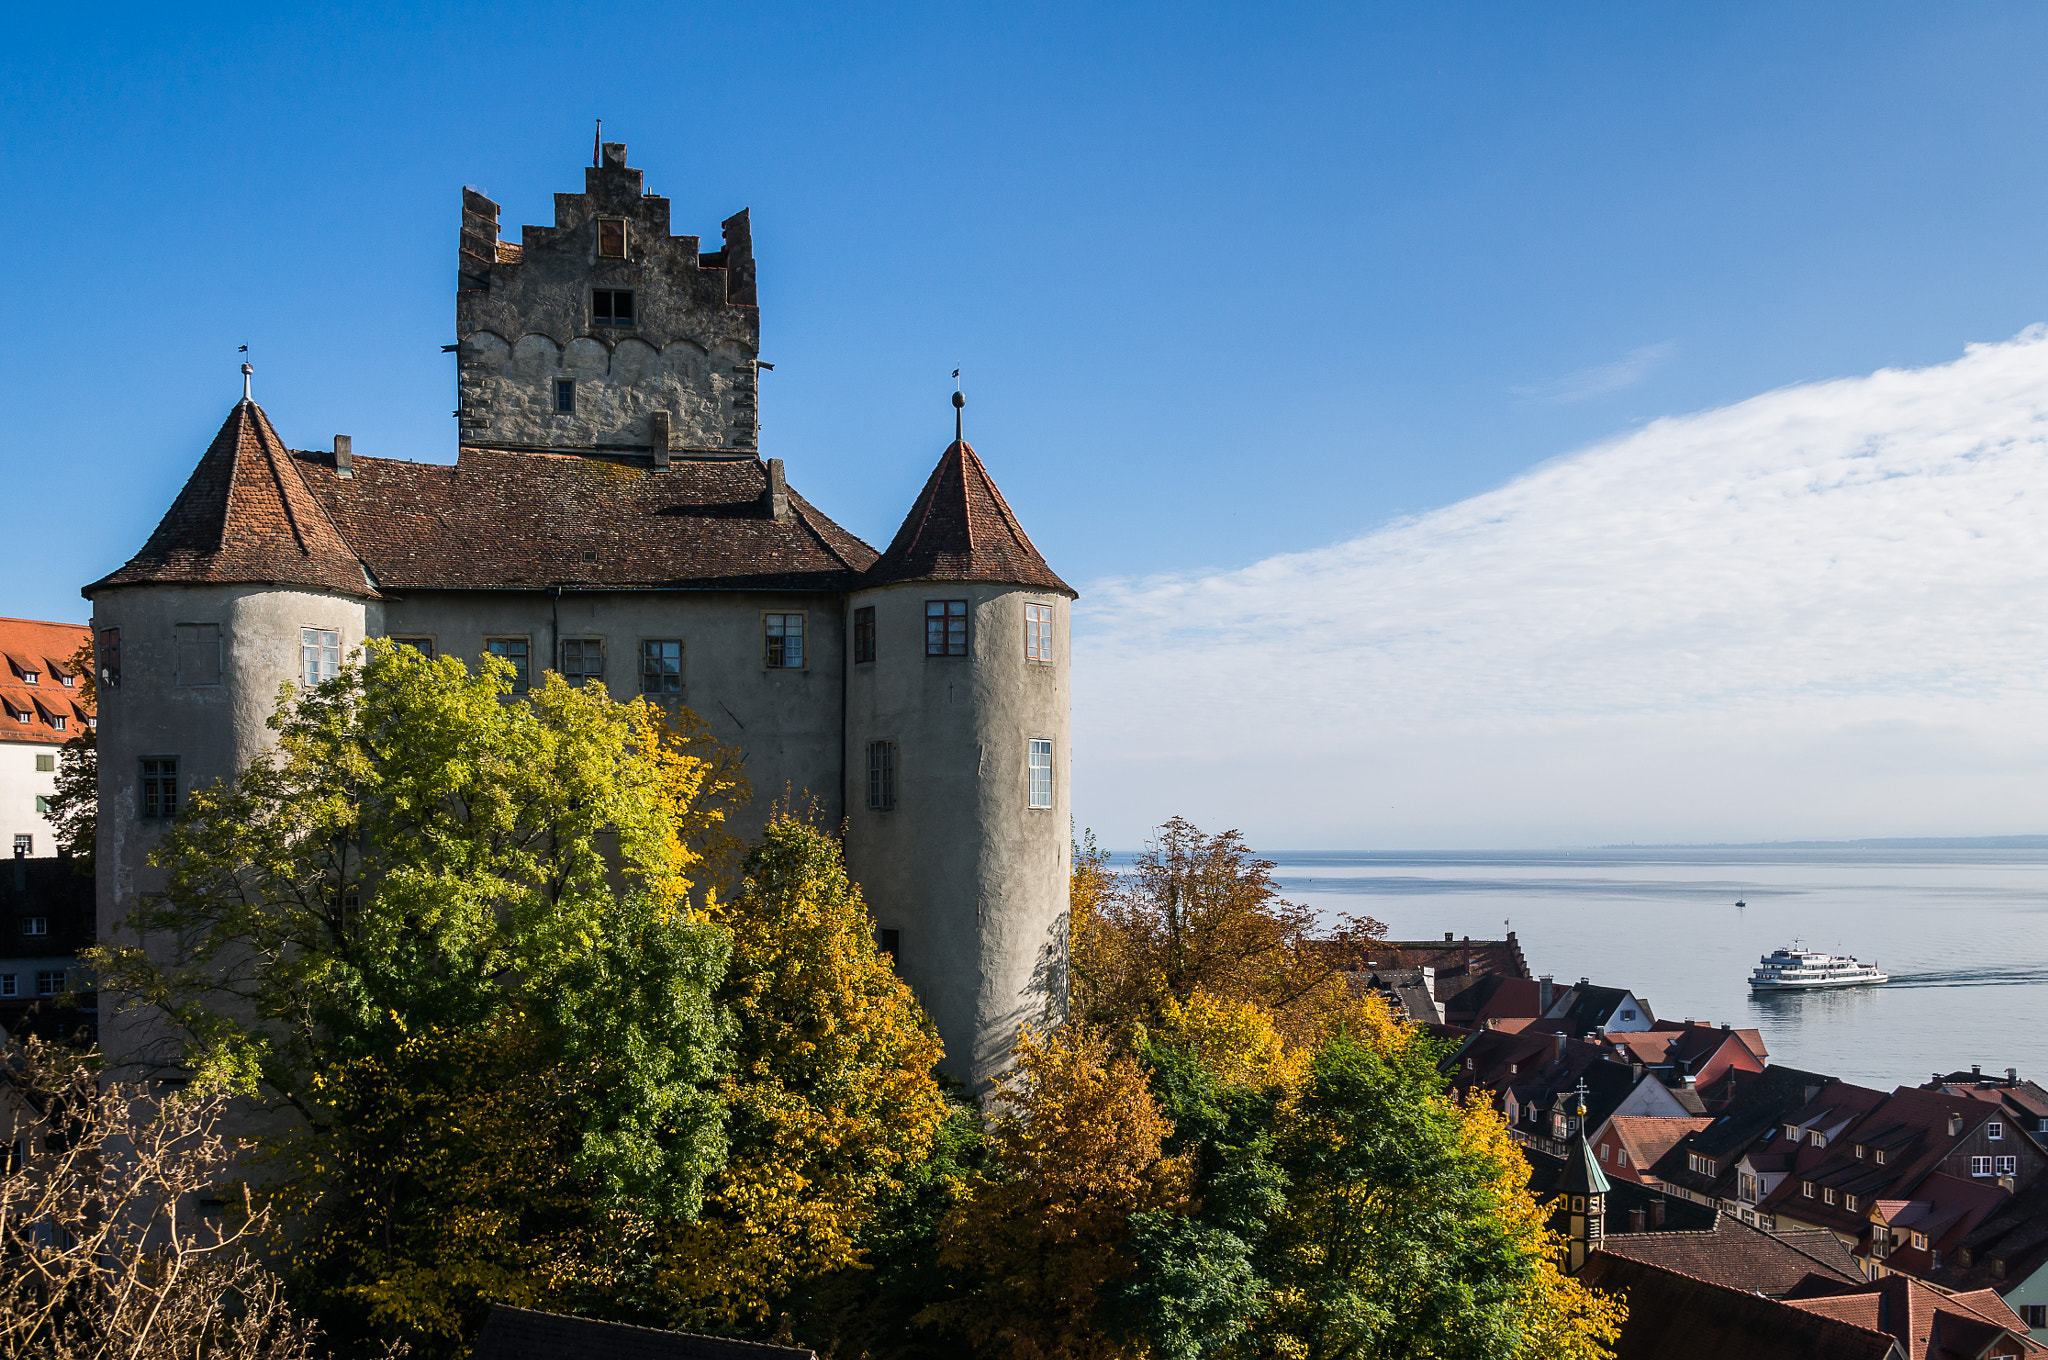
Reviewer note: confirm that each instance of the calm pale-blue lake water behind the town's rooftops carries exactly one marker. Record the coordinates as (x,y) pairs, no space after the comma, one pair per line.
(1963,933)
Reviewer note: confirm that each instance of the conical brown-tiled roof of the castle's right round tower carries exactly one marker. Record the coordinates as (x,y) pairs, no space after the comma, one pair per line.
(962,529)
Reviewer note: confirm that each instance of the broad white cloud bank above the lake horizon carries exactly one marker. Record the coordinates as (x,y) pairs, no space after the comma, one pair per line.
(1816,613)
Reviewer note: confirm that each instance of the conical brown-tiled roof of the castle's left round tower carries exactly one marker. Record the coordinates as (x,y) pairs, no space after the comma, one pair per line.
(247,517)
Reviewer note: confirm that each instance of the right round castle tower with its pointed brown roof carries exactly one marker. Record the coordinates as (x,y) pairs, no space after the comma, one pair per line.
(959,745)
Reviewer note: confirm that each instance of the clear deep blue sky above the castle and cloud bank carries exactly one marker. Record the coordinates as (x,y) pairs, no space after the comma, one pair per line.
(1228,282)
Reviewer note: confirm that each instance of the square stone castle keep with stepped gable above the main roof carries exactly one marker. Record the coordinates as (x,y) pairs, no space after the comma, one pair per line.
(605,333)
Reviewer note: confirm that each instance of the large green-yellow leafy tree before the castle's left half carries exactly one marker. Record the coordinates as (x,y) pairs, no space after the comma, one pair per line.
(427,872)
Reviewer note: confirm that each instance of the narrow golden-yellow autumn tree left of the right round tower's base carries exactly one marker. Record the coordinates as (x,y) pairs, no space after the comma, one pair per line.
(830,1099)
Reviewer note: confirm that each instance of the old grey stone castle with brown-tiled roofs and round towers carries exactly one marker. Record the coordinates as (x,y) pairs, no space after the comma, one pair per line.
(609,517)
